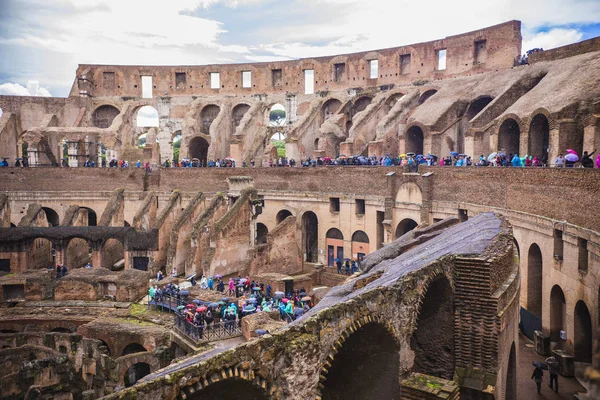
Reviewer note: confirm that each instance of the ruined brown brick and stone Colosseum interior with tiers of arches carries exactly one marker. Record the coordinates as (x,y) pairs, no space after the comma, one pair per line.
(456,264)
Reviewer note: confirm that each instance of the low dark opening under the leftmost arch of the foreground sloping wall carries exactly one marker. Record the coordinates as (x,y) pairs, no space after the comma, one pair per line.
(247,386)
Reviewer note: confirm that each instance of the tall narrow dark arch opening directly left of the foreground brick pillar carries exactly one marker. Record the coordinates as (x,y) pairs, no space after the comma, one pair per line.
(433,340)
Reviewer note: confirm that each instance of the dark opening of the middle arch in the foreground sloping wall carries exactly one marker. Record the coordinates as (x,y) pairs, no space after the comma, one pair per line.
(366,367)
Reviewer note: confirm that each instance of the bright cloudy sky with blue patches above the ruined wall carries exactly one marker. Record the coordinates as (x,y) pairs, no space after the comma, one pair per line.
(42,41)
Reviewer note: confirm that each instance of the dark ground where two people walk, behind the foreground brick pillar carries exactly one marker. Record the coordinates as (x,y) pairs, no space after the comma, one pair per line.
(567,387)
